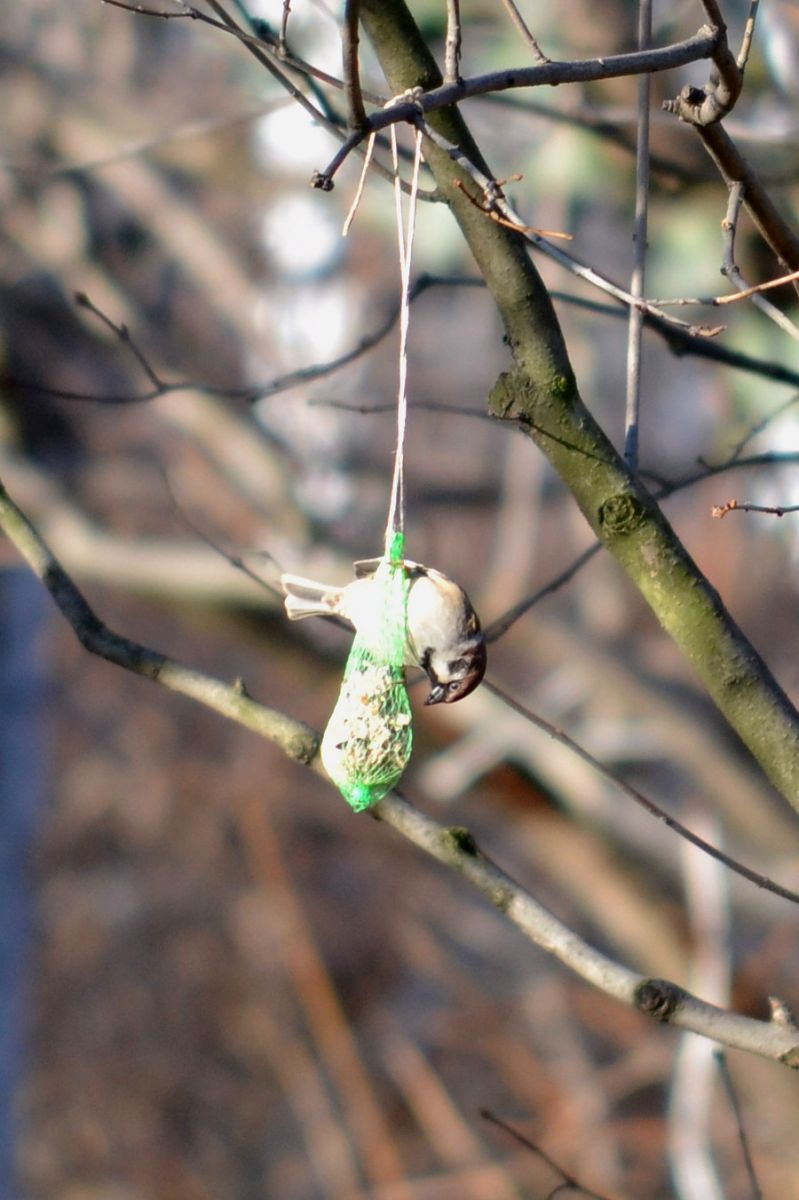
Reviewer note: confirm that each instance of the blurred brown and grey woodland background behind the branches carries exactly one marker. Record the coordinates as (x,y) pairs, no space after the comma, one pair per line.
(217,982)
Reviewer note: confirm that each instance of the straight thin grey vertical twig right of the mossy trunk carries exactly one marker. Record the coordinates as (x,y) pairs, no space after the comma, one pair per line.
(639,275)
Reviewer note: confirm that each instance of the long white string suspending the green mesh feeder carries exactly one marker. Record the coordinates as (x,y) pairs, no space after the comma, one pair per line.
(406,244)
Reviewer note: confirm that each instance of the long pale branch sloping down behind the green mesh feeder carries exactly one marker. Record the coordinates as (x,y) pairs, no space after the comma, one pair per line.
(455,848)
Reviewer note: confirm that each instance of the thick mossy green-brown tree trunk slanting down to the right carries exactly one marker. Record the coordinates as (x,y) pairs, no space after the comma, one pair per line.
(540,394)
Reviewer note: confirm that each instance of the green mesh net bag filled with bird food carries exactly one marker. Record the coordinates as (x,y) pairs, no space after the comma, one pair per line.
(368,742)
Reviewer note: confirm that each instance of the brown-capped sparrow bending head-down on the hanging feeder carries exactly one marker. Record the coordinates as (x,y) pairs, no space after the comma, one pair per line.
(444,635)
